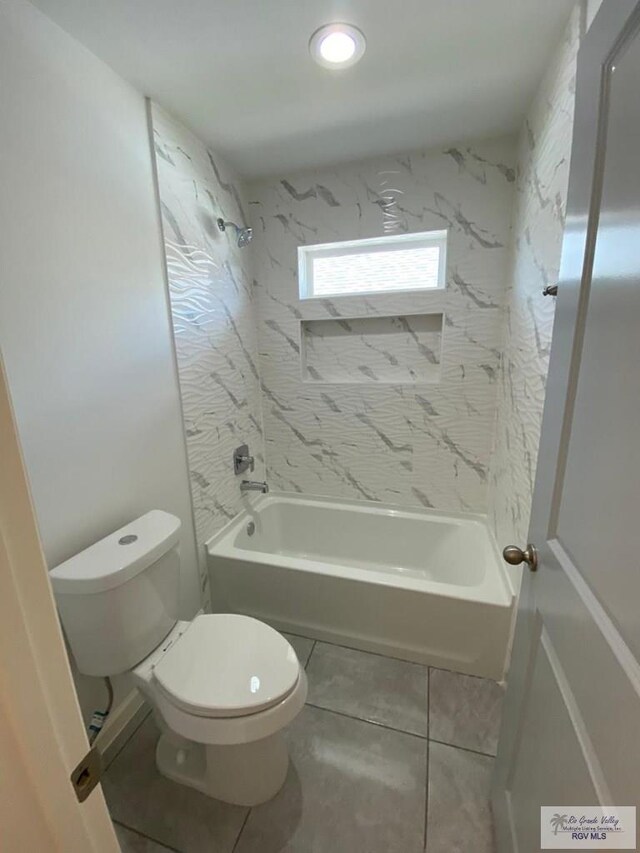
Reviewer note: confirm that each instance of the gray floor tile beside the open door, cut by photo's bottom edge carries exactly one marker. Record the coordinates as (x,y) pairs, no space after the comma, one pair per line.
(459,814)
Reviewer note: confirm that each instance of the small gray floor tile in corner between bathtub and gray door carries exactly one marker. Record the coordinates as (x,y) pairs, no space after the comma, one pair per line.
(464,710)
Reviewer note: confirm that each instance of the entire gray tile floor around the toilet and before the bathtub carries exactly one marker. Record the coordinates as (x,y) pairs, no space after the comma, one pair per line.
(387,757)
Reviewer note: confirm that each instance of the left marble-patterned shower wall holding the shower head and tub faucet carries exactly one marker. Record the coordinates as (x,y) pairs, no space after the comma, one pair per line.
(214,319)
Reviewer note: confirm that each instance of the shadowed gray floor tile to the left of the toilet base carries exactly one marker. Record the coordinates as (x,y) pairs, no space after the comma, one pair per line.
(172,814)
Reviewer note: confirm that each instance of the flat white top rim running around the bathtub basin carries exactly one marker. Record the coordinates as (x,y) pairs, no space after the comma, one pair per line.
(496,588)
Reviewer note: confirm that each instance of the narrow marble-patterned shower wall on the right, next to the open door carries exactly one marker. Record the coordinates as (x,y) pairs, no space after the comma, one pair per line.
(544,153)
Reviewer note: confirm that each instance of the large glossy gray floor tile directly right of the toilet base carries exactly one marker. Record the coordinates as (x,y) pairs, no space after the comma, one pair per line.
(352,788)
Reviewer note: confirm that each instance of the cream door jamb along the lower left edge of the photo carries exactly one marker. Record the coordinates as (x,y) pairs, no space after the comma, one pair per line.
(42,737)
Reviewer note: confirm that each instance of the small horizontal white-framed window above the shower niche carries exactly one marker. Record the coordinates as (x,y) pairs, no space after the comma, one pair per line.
(390,264)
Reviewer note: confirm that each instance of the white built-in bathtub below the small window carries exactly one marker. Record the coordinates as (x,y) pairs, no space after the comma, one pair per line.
(415,584)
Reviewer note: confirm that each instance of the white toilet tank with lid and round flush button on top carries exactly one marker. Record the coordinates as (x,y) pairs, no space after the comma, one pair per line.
(118,599)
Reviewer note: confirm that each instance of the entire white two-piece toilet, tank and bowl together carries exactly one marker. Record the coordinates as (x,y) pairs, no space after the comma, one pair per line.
(223,686)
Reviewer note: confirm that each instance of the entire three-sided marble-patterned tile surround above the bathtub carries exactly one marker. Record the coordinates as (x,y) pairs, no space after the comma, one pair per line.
(345,414)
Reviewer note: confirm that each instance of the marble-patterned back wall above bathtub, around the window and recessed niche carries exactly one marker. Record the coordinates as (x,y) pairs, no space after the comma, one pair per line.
(410,443)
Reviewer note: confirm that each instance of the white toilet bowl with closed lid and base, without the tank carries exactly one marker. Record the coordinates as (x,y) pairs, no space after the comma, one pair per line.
(223,688)
